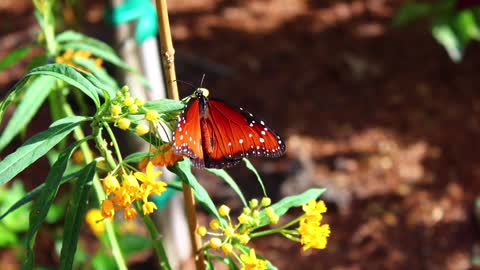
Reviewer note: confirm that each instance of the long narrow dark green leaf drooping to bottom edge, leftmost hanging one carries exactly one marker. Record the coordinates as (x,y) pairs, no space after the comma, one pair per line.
(42,204)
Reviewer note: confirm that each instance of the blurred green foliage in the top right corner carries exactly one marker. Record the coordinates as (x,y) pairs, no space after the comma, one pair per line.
(454,24)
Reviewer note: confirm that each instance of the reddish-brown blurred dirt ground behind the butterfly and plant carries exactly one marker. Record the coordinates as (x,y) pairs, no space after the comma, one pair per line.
(378,115)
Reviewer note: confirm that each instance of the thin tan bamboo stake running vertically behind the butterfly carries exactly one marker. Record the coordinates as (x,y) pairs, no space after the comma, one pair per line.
(168,57)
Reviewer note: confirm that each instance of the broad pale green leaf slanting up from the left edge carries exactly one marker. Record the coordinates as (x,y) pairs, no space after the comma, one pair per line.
(35,94)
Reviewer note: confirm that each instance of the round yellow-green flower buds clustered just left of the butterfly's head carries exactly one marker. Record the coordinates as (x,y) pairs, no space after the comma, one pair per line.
(123,105)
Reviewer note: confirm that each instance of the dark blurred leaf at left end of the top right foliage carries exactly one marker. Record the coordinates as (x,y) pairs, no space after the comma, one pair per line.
(411,12)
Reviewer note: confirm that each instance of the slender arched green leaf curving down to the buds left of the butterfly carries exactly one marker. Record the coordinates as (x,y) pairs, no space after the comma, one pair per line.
(71,76)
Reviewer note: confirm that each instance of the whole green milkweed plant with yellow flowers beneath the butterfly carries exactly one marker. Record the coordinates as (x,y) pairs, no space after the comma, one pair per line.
(109,180)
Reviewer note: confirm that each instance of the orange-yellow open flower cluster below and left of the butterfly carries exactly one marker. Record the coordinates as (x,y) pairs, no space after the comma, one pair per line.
(137,186)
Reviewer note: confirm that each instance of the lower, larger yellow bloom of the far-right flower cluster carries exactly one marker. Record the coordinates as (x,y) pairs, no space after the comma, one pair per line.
(313,235)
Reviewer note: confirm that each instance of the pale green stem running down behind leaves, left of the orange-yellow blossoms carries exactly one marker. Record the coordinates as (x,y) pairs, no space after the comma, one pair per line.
(87,153)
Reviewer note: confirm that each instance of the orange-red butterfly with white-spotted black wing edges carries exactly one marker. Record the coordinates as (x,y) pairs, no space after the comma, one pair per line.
(214,134)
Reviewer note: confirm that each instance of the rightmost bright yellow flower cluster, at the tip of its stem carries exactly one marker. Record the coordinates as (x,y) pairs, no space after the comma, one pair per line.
(313,234)
